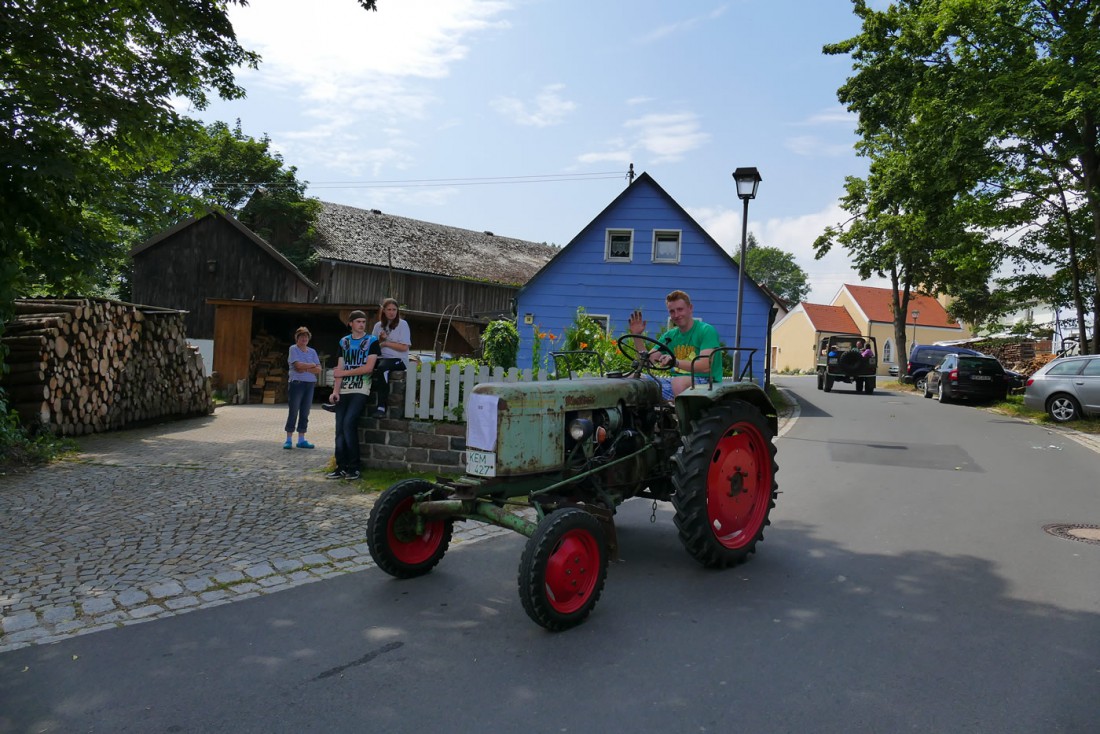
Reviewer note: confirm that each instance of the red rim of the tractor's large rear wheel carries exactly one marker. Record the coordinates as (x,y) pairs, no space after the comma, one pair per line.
(739,486)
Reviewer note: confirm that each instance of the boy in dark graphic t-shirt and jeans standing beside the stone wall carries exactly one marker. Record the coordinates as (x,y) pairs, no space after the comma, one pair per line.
(359,353)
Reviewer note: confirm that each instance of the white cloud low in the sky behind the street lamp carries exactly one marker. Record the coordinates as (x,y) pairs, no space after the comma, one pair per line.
(795,235)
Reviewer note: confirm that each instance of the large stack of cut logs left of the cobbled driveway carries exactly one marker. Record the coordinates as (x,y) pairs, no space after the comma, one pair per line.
(93,365)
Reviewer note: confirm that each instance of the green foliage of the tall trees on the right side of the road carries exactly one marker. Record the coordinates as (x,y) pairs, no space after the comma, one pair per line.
(980,118)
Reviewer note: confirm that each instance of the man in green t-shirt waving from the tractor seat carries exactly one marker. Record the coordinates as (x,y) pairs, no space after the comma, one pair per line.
(688,339)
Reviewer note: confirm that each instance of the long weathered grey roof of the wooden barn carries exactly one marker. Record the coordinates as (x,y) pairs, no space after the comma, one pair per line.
(369,237)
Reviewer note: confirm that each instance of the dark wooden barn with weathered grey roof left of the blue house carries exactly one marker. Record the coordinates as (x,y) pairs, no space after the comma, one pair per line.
(244,295)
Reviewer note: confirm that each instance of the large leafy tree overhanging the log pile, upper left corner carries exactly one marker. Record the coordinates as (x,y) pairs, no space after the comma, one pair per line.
(86,93)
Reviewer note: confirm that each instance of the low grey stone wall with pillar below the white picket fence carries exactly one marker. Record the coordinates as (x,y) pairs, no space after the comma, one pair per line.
(410,445)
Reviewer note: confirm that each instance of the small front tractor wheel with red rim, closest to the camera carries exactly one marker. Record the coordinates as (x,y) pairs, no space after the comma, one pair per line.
(564,569)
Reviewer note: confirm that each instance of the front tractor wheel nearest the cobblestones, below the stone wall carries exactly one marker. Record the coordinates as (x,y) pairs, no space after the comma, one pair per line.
(403,544)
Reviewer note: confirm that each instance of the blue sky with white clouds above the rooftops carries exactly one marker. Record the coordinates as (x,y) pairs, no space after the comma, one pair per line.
(417,108)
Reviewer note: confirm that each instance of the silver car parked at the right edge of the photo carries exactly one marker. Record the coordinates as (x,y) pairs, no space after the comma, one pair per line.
(1068,389)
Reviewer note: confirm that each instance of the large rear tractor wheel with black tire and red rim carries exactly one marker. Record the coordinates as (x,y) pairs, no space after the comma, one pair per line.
(725,485)
